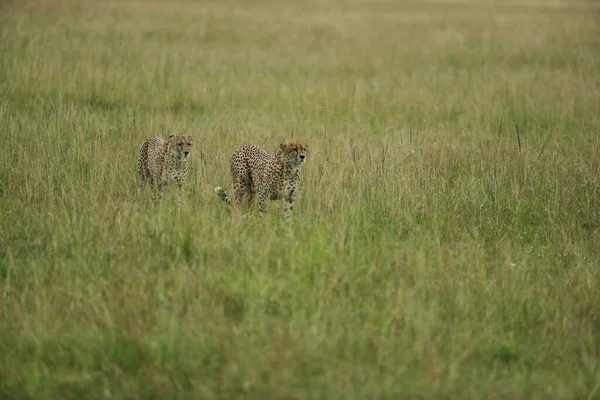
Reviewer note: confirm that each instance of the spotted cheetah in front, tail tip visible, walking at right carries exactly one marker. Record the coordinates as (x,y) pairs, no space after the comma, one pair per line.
(270,176)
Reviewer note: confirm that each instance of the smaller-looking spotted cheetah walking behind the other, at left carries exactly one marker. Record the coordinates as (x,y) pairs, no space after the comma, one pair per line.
(163,162)
